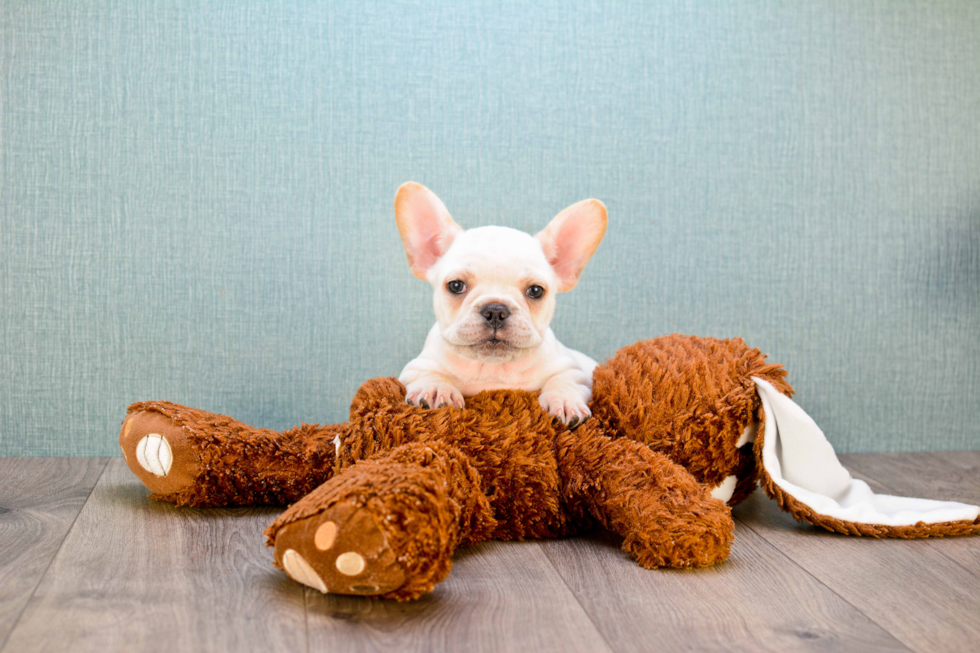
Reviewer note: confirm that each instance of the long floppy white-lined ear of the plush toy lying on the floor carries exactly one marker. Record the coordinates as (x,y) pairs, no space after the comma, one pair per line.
(799,468)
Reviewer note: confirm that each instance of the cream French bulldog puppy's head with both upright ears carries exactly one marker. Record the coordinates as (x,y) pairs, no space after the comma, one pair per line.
(495,287)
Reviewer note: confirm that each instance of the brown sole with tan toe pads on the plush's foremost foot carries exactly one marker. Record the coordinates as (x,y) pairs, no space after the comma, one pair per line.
(340,550)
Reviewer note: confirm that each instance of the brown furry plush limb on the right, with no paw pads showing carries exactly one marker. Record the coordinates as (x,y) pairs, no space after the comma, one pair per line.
(667,518)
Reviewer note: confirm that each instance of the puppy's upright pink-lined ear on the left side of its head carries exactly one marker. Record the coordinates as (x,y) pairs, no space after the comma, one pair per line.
(425,225)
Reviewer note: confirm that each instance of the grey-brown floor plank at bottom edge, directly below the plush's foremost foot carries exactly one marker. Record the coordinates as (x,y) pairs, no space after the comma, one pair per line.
(500,596)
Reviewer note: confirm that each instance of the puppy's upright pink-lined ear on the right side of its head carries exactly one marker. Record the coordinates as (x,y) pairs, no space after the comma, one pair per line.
(571,238)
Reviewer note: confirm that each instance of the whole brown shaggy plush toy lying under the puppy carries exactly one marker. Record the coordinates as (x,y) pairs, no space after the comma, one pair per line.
(682,428)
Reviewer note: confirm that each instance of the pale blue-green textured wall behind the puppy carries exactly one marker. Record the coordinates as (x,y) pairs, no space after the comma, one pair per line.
(195,198)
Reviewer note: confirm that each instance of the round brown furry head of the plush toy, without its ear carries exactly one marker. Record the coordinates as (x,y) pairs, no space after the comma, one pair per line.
(689,398)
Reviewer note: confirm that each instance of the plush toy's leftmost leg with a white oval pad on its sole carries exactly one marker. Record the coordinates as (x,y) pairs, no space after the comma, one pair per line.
(192,457)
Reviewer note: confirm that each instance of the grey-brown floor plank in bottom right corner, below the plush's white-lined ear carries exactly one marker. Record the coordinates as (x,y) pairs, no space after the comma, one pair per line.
(909,587)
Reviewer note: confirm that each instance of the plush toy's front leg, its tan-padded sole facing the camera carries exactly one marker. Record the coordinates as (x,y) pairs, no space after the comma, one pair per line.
(385,527)
